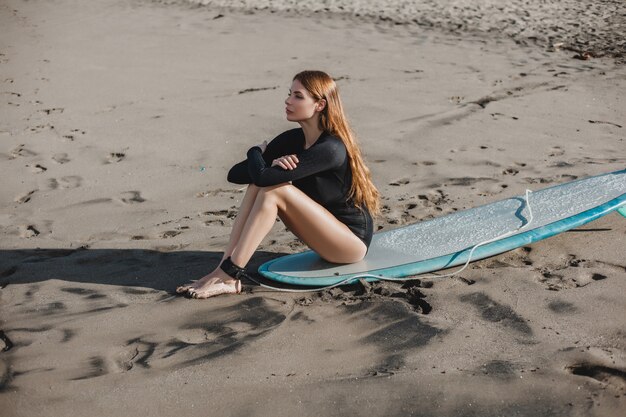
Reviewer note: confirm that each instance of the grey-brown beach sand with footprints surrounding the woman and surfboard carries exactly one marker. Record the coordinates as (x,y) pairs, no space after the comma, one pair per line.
(119,120)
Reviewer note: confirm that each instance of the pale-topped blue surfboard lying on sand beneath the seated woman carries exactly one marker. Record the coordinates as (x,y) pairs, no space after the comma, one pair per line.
(447,241)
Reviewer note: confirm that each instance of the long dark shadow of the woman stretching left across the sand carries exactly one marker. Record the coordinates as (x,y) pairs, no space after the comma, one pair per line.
(162,271)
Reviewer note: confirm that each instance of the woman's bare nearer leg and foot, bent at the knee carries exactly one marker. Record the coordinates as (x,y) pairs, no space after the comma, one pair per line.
(311,222)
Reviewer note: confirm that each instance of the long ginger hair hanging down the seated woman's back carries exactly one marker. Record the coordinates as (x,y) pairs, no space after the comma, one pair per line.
(333,120)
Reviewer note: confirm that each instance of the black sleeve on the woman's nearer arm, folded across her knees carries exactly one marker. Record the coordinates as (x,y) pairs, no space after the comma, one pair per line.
(321,157)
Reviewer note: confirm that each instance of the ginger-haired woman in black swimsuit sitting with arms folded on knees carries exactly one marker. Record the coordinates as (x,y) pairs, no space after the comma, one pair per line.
(313,178)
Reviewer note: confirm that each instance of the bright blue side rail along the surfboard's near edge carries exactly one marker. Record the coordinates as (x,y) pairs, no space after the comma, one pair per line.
(460,257)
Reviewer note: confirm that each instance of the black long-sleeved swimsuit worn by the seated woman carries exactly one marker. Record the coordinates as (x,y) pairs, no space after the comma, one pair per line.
(323,173)
